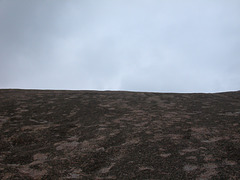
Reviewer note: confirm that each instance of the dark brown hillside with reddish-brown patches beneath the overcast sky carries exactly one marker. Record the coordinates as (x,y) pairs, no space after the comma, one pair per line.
(119,135)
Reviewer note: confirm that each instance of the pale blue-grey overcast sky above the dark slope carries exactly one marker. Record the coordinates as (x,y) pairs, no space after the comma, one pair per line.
(135,45)
